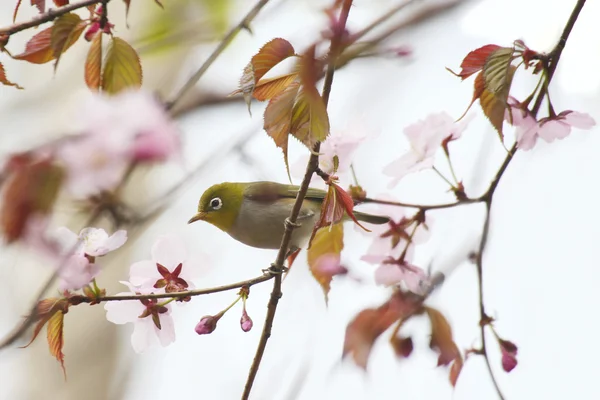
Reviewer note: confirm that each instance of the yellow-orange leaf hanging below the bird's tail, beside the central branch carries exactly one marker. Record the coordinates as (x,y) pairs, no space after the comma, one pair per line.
(326,247)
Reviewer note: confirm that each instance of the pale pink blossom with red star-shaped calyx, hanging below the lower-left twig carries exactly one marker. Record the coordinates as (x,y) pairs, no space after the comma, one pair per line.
(152,321)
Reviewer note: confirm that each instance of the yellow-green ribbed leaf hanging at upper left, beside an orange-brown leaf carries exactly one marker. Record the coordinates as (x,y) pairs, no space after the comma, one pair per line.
(122,68)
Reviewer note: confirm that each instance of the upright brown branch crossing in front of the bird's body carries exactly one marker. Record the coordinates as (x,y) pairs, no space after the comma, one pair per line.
(290,223)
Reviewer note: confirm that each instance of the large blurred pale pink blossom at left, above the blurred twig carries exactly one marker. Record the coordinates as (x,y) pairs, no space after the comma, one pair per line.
(118,130)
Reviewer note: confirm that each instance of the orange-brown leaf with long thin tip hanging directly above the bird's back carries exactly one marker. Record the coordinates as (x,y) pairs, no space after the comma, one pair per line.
(278,118)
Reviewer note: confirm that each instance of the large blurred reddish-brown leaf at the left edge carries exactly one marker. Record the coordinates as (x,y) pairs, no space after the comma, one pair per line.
(30,188)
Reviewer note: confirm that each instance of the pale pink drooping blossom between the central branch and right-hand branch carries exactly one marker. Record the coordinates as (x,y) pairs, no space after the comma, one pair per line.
(425,137)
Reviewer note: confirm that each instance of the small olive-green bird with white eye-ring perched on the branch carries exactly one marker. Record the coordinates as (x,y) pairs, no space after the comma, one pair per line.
(254,212)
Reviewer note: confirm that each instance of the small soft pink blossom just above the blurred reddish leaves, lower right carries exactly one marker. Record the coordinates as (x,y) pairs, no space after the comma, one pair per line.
(412,277)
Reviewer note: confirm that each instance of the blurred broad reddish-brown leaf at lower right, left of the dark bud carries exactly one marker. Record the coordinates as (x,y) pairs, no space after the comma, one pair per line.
(369,324)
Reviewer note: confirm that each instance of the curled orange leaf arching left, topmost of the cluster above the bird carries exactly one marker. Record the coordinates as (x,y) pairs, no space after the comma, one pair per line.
(271,54)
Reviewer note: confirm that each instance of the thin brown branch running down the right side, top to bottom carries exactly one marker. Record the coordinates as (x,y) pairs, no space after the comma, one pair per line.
(550,65)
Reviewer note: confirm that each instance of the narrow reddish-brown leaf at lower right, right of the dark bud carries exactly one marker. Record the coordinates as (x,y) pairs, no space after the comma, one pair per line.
(442,341)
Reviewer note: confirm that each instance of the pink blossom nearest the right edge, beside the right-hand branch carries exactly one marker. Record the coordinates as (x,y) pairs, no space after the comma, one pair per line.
(528,130)
